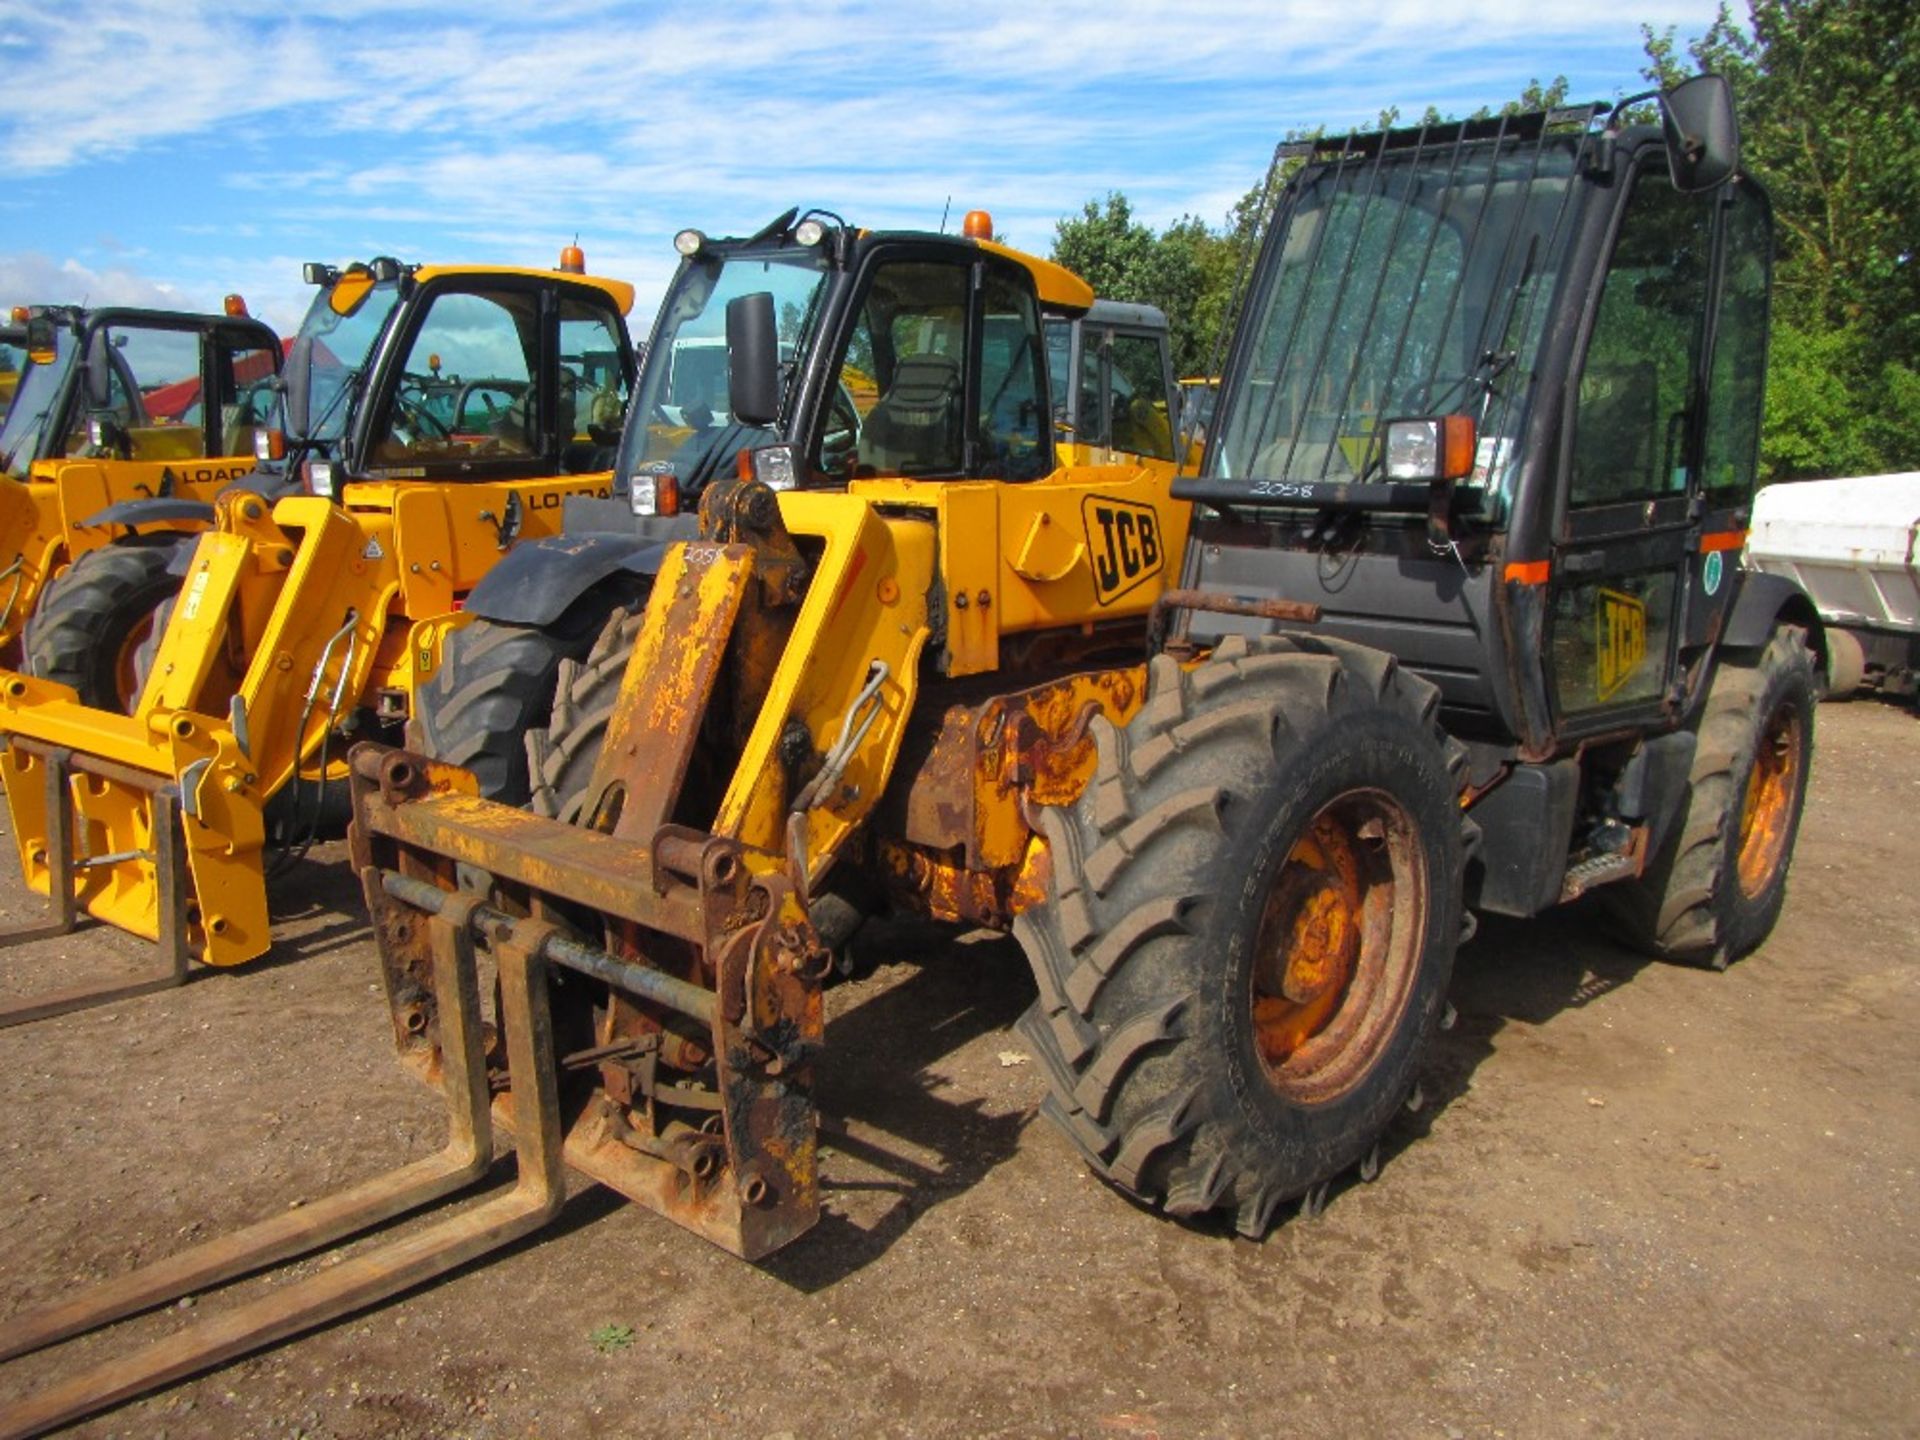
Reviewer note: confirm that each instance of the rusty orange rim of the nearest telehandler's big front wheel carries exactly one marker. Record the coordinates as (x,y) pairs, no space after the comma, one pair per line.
(1339,946)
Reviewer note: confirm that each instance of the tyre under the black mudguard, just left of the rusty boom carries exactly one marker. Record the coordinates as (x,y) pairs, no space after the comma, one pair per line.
(496,684)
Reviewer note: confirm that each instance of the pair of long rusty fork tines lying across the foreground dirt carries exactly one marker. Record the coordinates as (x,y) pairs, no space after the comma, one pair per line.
(372,1276)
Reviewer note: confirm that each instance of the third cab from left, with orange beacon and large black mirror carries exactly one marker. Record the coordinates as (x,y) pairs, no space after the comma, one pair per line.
(838,354)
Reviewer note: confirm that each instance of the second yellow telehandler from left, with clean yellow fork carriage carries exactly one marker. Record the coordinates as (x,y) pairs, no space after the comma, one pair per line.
(433,416)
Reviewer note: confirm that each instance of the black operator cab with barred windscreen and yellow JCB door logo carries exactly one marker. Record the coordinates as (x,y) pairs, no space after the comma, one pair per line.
(1495,408)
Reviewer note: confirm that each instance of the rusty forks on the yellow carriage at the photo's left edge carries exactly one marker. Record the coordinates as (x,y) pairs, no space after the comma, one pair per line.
(68,875)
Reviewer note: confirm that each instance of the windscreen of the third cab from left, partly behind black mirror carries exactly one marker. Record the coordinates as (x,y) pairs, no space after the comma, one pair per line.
(683,414)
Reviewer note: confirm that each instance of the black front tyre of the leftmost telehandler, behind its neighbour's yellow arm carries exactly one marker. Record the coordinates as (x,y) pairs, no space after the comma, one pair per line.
(99,621)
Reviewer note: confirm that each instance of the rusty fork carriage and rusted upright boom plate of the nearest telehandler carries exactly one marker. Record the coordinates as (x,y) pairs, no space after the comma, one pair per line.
(702,1019)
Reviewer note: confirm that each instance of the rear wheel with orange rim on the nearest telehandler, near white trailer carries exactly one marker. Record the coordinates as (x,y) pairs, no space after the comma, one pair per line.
(1719,880)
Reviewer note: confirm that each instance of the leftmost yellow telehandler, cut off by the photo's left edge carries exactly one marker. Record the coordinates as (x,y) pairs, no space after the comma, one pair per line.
(130,423)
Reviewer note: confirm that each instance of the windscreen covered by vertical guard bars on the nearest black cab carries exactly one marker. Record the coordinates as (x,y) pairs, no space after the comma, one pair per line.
(1406,283)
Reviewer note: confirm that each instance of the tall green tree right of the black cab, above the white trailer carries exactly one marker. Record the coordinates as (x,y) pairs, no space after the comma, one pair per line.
(1829,97)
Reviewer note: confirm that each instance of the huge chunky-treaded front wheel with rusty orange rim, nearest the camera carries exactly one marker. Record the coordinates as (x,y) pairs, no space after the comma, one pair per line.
(1249,926)
